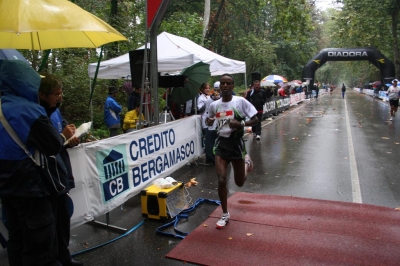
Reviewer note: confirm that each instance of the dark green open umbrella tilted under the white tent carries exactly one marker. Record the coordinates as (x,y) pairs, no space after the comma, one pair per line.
(196,74)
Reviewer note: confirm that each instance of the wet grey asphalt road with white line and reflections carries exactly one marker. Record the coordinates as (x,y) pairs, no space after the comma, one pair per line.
(327,148)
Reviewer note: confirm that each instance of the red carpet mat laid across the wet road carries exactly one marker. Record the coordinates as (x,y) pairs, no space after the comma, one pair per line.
(280,230)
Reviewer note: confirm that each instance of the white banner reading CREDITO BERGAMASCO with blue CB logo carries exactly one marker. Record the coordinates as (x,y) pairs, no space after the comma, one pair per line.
(109,172)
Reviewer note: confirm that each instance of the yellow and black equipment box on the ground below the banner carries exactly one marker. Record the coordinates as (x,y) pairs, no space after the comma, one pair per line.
(162,203)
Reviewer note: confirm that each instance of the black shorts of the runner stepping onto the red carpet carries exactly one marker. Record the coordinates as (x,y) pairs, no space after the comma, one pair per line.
(229,148)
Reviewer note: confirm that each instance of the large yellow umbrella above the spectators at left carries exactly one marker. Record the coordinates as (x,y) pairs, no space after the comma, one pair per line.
(49,24)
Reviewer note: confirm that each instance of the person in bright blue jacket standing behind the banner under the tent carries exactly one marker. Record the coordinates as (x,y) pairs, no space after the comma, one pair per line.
(111,112)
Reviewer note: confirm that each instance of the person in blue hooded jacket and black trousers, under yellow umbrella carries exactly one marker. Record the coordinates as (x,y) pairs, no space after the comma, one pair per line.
(24,194)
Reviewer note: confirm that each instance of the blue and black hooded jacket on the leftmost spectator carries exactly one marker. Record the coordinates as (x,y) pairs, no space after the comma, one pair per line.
(19,176)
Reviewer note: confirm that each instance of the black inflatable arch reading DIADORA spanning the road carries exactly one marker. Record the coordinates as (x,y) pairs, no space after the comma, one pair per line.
(350,54)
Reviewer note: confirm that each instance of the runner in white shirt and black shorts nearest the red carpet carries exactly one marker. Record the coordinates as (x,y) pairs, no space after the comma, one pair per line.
(230,112)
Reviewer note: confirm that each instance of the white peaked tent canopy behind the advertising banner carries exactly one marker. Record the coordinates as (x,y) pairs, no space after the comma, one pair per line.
(174,54)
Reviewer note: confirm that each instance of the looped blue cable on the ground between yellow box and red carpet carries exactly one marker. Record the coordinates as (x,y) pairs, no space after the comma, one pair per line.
(183,214)
